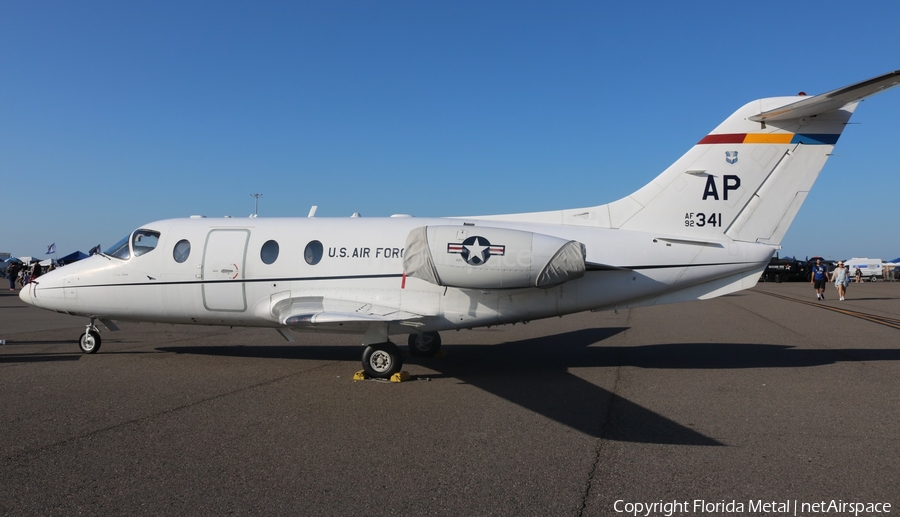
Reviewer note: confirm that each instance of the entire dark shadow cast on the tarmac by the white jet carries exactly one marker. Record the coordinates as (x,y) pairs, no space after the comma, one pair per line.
(533,373)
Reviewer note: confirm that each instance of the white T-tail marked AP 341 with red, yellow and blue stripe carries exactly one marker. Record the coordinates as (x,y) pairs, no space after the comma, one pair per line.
(749,176)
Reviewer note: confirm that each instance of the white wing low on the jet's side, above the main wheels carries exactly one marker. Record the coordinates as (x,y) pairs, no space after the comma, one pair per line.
(322,312)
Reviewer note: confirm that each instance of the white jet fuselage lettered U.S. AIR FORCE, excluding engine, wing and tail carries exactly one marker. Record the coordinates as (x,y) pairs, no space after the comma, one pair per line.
(235,271)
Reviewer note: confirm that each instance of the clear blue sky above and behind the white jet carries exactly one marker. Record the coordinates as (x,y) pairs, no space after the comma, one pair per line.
(114,114)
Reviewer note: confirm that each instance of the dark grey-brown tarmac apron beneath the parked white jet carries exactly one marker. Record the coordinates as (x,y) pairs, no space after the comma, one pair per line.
(758,397)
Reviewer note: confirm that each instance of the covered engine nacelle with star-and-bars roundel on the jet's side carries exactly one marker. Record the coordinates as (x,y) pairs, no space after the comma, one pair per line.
(491,258)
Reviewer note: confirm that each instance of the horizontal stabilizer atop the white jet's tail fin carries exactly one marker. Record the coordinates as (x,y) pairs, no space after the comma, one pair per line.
(832,100)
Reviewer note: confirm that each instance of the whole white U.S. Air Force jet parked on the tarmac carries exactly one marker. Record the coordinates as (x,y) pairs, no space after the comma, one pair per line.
(705,227)
